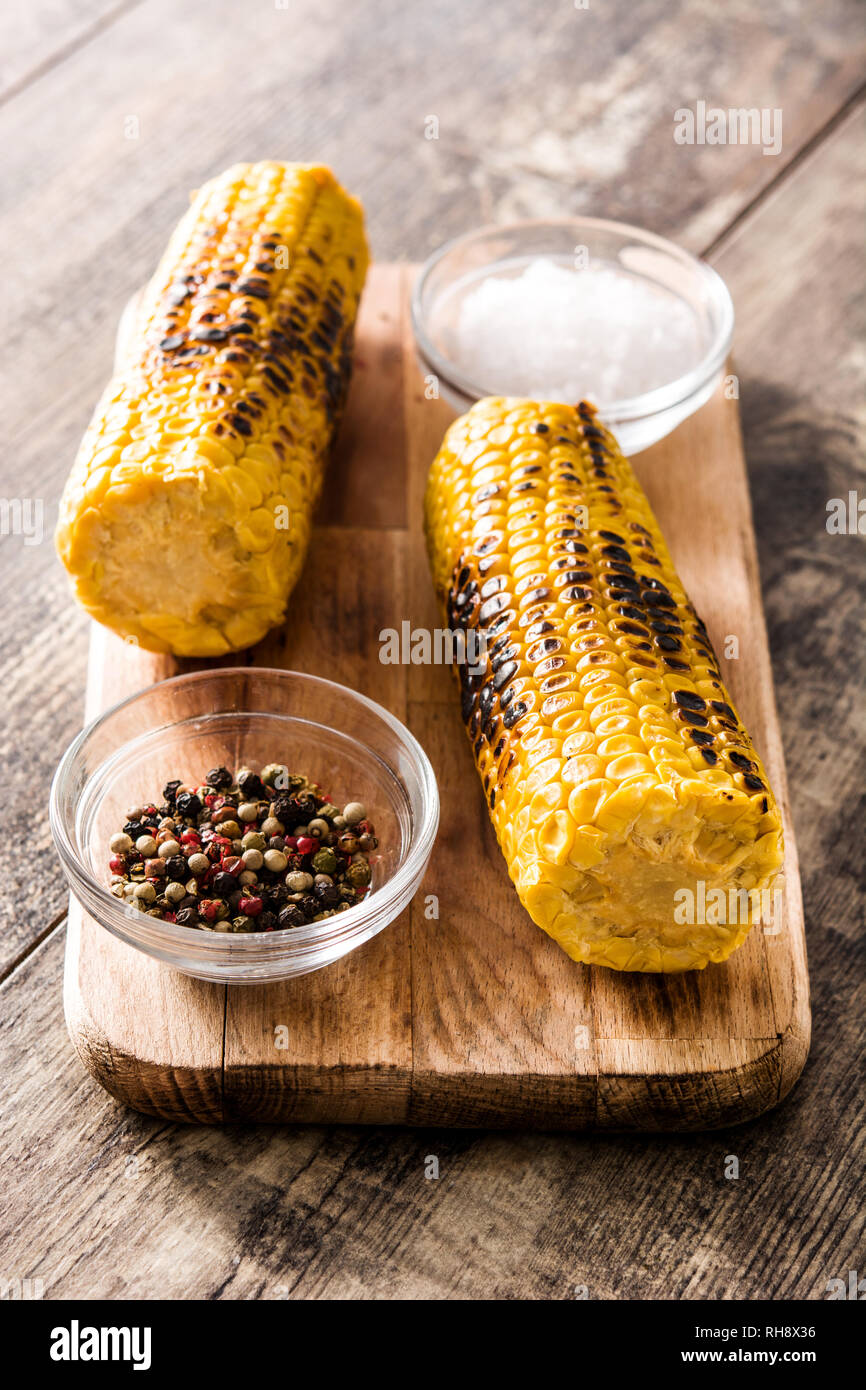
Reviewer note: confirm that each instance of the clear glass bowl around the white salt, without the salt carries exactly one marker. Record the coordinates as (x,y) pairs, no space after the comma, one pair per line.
(462,265)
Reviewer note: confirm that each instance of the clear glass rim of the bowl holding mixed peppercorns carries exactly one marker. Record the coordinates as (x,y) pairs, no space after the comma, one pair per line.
(341,928)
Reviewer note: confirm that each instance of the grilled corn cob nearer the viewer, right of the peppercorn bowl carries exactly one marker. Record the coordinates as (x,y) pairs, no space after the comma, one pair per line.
(616,769)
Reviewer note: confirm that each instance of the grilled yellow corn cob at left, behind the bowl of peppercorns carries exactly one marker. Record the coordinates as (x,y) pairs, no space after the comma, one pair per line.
(187,516)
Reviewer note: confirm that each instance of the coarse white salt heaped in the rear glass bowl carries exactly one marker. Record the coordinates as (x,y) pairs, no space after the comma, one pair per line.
(561,334)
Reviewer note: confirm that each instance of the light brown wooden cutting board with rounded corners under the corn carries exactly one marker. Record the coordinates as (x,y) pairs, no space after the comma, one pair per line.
(475,1018)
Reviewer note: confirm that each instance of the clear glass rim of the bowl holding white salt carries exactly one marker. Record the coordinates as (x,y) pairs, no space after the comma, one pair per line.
(628,408)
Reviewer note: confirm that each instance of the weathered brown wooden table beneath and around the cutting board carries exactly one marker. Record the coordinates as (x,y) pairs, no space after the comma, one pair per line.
(109,115)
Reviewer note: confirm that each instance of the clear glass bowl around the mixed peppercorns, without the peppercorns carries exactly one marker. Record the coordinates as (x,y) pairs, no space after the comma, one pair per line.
(245,717)
